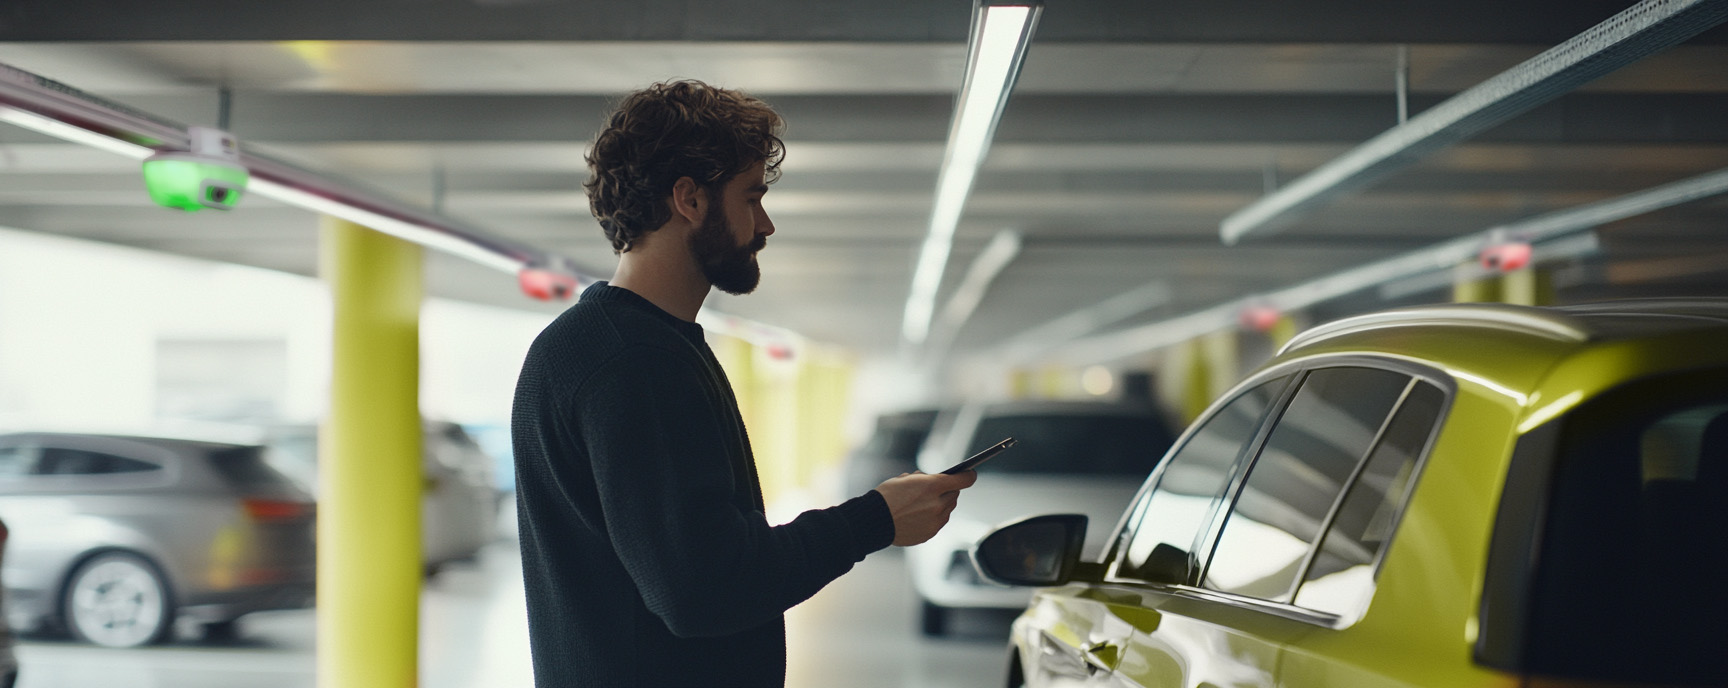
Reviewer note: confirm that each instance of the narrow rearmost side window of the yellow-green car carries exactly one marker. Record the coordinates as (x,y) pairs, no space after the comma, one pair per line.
(1342,577)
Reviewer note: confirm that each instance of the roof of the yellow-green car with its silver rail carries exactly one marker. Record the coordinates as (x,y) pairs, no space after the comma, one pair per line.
(1561,328)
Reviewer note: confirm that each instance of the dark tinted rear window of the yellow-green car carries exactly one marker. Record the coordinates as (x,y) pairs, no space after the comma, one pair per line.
(1629,583)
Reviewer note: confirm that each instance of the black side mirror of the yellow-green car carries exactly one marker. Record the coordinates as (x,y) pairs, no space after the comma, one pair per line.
(1036,552)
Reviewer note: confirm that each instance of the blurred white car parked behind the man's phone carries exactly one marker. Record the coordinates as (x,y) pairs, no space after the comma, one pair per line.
(1079,457)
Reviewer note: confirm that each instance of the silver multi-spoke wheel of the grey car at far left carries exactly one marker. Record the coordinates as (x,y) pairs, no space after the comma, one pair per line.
(118,601)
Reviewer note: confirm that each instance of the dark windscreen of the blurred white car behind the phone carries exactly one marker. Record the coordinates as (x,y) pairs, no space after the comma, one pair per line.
(1081,445)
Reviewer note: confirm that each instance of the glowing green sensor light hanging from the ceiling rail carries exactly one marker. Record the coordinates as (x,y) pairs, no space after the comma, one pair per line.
(210,175)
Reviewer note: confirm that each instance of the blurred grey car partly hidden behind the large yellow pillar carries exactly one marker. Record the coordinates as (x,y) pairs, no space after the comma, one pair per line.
(459,513)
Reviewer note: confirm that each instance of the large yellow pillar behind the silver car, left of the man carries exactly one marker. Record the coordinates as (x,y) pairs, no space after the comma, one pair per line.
(371,478)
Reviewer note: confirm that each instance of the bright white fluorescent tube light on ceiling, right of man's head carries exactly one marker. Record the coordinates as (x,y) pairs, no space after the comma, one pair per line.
(998,48)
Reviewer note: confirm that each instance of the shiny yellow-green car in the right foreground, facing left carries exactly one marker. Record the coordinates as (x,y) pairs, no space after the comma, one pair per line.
(1432,497)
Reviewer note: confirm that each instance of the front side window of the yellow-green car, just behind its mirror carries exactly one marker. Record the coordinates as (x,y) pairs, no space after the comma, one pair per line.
(1167,523)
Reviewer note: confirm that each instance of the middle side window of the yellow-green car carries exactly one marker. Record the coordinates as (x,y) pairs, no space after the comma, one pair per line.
(1299,476)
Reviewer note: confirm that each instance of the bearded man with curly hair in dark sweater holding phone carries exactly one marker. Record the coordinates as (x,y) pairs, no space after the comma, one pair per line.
(645,549)
